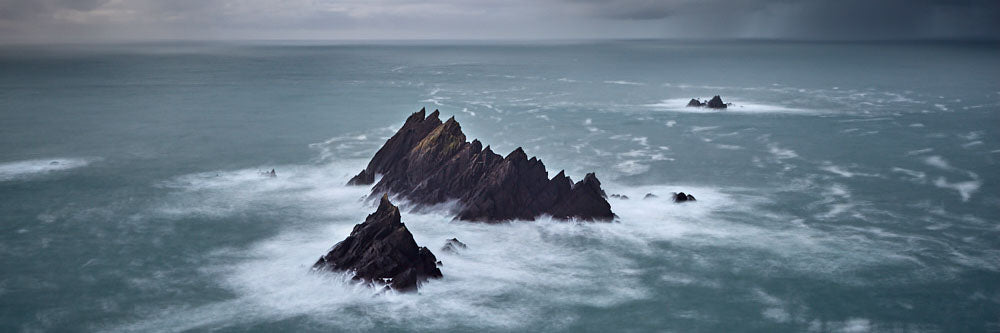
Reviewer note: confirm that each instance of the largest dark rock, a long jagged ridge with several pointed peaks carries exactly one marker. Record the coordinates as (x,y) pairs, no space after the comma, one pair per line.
(430,162)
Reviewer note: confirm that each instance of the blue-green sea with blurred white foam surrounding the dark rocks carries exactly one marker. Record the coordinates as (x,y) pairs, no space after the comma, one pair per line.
(852,187)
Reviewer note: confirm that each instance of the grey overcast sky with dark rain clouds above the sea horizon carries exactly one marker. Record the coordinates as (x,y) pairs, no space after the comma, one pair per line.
(112,20)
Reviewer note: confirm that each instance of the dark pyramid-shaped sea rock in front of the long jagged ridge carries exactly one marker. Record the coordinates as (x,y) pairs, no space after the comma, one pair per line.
(382,250)
